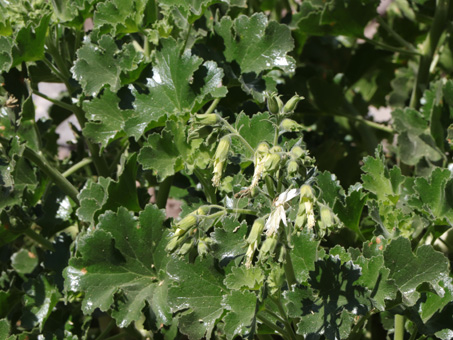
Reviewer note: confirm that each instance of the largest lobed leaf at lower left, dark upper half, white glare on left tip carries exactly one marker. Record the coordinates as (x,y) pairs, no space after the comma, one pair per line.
(114,267)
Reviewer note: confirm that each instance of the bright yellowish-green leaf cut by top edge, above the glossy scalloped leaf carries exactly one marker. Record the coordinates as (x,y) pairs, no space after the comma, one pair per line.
(119,16)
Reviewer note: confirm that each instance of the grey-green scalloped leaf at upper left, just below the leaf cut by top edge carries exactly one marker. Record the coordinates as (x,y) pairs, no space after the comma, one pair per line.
(100,65)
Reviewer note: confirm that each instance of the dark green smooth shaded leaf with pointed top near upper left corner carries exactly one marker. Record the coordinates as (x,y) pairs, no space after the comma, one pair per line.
(29,42)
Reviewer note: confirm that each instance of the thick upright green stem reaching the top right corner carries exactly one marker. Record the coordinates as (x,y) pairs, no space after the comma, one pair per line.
(429,48)
